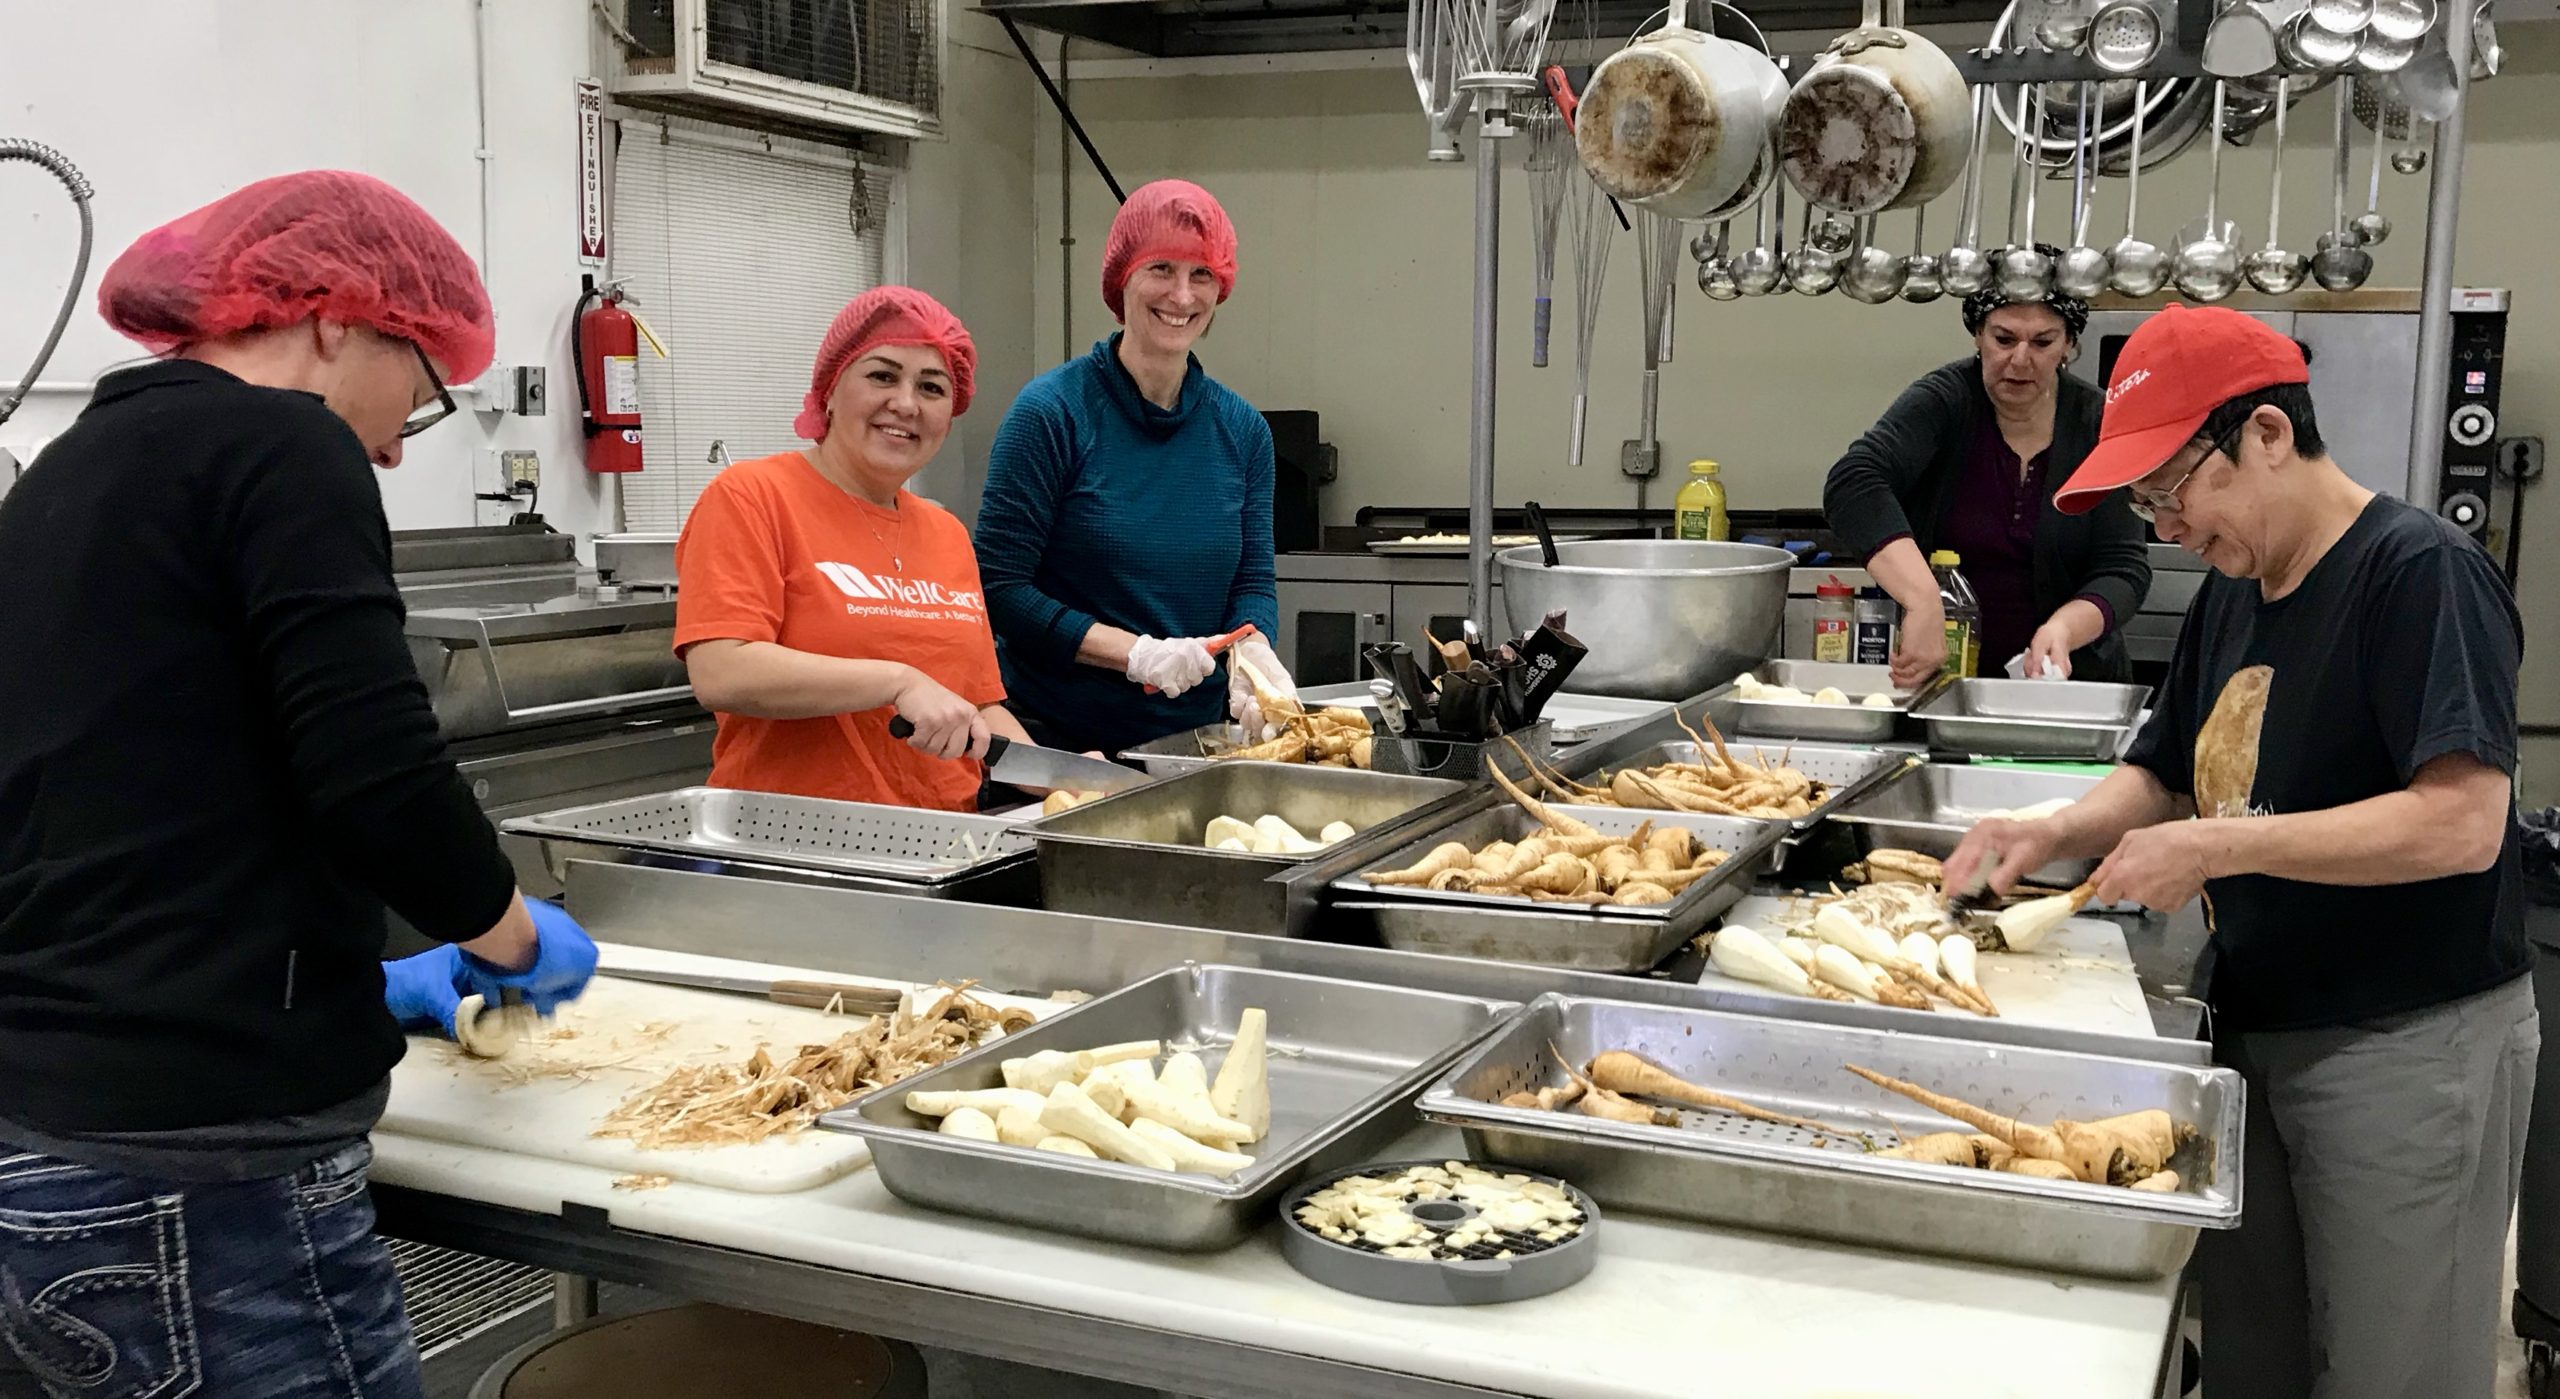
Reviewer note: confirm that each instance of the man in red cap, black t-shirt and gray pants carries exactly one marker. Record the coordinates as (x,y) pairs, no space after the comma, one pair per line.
(2333,765)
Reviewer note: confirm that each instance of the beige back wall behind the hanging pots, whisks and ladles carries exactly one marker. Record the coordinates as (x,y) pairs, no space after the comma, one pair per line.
(1356,299)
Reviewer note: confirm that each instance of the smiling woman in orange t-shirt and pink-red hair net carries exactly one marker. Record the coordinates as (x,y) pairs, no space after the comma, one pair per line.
(818,598)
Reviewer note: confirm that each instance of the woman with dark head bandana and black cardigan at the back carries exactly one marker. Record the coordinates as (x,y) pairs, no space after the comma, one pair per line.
(1970,460)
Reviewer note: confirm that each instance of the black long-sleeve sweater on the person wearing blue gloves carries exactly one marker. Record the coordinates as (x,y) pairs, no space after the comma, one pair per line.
(216,765)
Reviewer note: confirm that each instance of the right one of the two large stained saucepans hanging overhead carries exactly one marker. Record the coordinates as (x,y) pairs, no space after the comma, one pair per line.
(1880,122)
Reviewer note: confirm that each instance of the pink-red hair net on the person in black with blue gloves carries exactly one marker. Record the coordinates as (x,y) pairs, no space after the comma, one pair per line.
(324,242)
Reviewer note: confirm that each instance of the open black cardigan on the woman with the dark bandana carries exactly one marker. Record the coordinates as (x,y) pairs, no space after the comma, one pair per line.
(1901,480)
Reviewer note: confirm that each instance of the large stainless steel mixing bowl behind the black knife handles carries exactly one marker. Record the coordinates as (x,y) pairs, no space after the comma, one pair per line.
(1663,619)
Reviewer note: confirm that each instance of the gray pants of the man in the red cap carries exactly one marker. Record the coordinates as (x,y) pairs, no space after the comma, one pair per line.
(2382,1170)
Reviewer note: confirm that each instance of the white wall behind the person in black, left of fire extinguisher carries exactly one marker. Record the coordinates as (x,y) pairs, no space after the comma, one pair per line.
(170,104)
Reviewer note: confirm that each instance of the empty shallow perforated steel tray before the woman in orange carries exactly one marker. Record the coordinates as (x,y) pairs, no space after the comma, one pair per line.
(692,826)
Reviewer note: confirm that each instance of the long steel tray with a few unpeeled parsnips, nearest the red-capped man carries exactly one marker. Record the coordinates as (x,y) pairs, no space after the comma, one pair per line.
(1734,1172)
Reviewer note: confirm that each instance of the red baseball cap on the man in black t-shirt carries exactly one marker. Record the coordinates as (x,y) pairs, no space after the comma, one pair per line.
(2170,378)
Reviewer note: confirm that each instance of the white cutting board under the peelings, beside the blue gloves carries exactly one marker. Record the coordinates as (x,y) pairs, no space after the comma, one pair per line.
(447,1095)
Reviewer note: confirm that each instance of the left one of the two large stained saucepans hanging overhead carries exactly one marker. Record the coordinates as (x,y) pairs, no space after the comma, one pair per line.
(1678,122)
